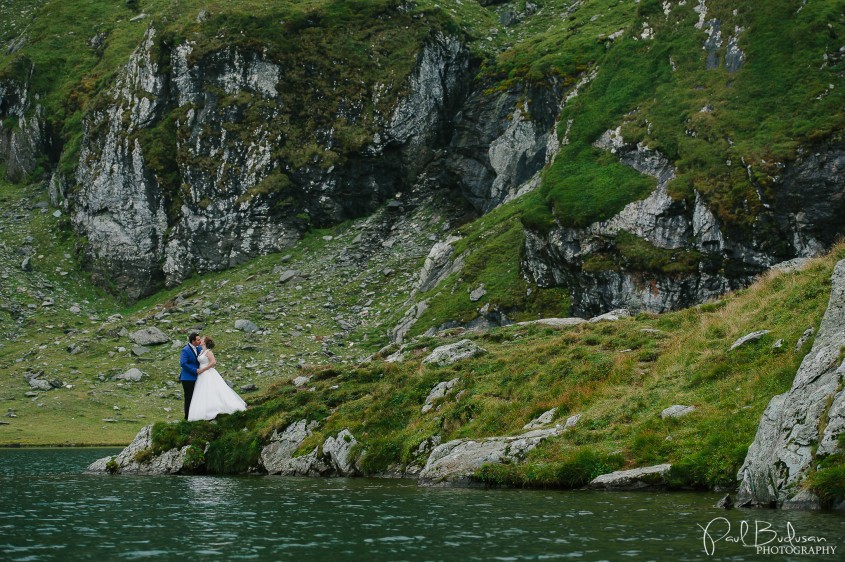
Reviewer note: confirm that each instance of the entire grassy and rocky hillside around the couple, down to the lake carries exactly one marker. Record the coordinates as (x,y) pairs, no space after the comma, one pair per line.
(335,188)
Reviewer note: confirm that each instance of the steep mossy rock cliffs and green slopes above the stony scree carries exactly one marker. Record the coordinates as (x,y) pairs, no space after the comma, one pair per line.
(651,155)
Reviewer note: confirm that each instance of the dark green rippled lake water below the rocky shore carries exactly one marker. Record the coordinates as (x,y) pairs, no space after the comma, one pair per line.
(51,510)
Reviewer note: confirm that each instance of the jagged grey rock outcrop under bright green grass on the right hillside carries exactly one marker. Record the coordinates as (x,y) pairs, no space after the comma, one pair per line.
(701,260)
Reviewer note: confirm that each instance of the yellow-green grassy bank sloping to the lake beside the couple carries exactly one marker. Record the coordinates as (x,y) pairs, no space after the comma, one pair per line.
(619,376)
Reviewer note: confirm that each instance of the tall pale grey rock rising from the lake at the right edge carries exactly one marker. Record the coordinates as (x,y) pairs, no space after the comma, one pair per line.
(801,426)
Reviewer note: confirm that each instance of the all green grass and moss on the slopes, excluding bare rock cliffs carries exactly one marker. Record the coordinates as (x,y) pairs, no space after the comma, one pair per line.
(619,376)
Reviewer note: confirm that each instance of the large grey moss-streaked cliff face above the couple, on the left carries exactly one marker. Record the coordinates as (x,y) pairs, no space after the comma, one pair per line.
(179,172)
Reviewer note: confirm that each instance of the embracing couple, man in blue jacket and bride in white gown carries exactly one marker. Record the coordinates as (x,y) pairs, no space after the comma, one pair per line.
(206,393)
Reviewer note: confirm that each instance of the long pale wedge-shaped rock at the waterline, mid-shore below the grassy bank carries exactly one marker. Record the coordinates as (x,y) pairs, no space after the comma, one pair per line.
(456,461)
